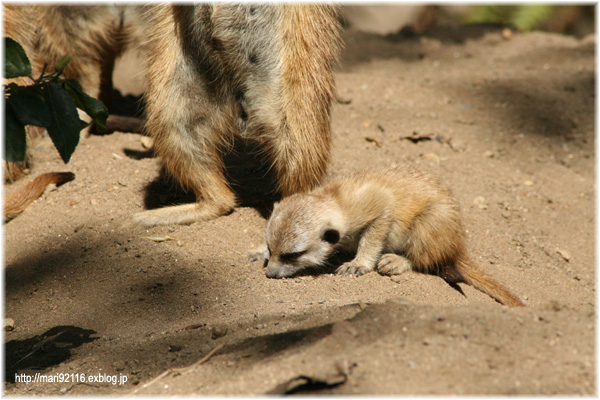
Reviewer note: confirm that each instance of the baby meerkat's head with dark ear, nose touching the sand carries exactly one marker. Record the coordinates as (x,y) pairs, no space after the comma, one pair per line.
(301,233)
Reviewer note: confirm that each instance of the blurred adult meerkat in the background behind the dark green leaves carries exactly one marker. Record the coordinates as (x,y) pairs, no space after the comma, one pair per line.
(94,37)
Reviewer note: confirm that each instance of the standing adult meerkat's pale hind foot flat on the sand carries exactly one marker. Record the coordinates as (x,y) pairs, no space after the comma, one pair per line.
(184,214)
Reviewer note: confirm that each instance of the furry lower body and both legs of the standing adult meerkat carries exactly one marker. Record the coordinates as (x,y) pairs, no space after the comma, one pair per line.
(263,72)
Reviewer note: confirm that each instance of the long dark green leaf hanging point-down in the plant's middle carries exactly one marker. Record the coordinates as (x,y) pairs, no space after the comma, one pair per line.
(64,126)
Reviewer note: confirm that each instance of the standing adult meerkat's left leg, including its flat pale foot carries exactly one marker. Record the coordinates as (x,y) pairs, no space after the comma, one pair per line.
(190,115)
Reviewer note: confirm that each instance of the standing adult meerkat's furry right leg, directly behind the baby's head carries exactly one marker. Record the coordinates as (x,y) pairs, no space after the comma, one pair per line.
(299,142)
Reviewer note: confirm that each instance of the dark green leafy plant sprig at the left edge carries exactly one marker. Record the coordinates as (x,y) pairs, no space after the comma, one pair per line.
(50,102)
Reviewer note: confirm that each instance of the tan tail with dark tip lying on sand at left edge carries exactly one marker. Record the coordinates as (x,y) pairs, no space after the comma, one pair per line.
(17,202)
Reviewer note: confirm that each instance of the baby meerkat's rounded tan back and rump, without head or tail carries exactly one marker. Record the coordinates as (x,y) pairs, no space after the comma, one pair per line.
(417,205)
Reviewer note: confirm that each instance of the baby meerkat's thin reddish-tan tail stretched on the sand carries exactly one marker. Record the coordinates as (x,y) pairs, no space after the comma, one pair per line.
(471,275)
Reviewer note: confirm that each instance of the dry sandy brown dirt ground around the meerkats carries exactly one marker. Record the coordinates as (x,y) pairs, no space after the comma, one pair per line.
(515,123)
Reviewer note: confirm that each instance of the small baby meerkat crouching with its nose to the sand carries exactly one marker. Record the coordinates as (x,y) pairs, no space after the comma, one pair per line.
(395,220)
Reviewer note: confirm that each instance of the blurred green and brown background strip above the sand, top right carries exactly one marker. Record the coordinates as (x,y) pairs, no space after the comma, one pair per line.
(577,20)
